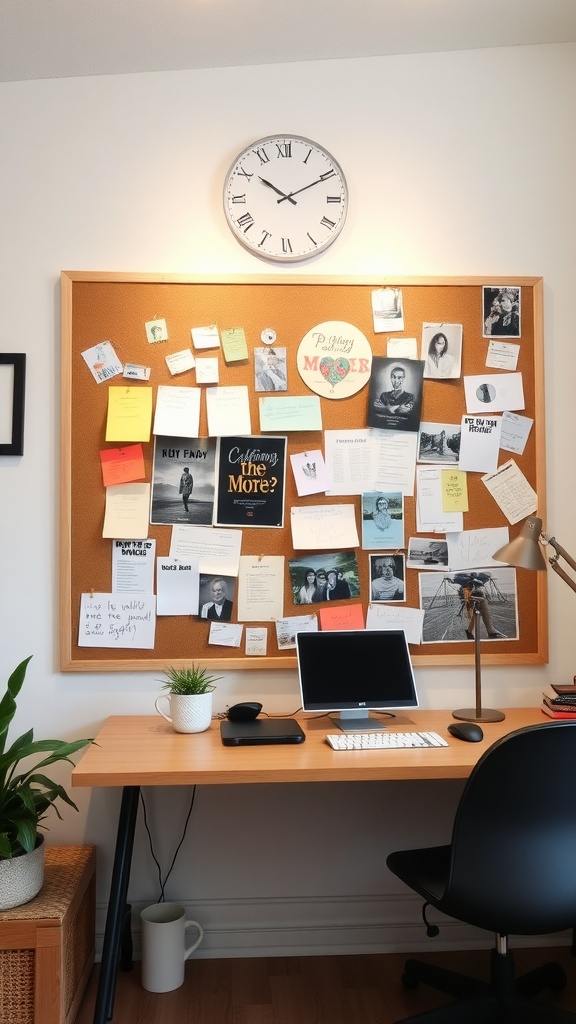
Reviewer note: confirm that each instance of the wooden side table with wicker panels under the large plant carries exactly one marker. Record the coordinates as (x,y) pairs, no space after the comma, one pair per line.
(48,946)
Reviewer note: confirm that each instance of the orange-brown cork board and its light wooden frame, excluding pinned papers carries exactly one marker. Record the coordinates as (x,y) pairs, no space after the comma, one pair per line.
(98,307)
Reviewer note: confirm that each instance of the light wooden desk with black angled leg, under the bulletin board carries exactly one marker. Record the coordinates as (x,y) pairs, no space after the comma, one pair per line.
(136,751)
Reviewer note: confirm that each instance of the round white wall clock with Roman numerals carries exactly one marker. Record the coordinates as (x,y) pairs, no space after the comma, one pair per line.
(285,199)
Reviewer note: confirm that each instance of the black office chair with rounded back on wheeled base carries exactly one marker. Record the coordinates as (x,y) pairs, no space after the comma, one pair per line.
(511,869)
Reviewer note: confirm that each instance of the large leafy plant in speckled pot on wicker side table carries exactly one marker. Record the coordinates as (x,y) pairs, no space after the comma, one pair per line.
(26,797)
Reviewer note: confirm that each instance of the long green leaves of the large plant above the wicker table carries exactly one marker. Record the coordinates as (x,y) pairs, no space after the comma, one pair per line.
(26,798)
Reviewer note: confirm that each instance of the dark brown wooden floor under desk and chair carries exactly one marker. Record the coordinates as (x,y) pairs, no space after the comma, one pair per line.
(357,990)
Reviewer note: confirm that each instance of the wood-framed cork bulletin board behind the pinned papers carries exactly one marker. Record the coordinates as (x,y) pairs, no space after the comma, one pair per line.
(99,307)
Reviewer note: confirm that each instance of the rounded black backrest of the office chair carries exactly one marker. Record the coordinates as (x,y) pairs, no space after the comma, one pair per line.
(514,842)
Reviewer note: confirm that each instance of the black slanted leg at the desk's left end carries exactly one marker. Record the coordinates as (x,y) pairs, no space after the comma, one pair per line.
(117,904)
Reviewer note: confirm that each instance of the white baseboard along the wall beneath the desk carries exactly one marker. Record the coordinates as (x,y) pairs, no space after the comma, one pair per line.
(323,926)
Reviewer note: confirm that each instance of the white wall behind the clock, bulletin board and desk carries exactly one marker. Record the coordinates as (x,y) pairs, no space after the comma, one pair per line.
(458,164)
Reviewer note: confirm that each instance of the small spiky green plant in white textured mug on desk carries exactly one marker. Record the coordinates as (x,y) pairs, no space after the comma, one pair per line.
(190,699)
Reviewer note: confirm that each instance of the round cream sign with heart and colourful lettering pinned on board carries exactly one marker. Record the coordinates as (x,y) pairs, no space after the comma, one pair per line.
(335,360)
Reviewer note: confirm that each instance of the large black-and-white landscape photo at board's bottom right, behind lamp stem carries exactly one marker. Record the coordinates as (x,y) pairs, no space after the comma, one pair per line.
(449,600)
